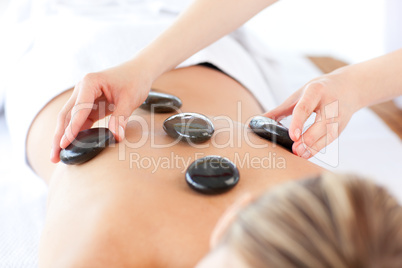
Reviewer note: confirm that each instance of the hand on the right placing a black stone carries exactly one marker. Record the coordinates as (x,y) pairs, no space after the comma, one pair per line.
(333,98)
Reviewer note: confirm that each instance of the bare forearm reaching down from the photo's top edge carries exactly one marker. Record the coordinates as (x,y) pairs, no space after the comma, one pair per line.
(204,22)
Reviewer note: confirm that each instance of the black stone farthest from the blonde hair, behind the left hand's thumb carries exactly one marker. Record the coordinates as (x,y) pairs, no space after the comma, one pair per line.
(161,103)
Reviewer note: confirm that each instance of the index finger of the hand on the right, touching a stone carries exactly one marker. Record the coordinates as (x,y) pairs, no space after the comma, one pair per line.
(303,109)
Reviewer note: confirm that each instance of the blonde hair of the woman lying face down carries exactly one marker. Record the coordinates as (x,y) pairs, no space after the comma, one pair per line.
(332,221)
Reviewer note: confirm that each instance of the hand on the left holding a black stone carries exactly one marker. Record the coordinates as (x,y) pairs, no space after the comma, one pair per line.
(117,91)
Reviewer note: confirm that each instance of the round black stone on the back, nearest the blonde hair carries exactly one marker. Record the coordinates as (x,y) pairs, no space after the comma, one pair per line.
(212,175)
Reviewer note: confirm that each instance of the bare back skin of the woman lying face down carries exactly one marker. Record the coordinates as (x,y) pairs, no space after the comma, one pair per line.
(107,214)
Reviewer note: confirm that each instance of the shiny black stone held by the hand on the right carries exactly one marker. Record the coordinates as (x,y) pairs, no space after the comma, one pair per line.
(271,130)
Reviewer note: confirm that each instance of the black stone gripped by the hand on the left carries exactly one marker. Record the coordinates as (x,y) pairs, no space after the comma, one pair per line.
(88,144)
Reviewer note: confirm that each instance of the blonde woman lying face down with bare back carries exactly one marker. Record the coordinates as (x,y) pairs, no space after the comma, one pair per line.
(110,212)
